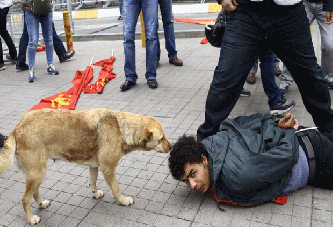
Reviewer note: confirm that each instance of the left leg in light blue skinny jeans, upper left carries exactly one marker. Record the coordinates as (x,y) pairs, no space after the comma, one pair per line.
(32,23)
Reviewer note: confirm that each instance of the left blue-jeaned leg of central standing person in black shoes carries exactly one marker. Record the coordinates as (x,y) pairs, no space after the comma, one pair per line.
(131,10)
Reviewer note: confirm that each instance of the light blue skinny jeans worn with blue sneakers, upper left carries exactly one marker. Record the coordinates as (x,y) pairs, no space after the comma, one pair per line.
(32,21)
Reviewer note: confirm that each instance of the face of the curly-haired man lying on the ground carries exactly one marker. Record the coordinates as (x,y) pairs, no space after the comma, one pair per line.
(197,176)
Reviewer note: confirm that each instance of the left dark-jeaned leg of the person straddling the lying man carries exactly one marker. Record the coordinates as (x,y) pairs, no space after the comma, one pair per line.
(241,41)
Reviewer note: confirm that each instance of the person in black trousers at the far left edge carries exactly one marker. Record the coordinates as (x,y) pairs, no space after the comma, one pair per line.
(4,9)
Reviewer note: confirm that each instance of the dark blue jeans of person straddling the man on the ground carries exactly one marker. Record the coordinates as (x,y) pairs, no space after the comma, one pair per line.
(284,30)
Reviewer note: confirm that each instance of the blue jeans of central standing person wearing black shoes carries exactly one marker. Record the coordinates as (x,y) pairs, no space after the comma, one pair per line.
(131,11)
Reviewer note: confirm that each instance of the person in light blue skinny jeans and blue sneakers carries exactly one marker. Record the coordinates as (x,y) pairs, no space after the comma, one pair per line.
(32,21)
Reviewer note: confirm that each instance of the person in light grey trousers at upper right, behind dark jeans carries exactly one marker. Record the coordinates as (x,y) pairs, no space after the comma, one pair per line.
(316,10)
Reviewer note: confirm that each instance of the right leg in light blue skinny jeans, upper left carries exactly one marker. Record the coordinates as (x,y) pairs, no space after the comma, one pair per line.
(46,23)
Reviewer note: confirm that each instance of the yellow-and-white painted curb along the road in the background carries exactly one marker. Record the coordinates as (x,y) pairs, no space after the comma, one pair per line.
(176,9)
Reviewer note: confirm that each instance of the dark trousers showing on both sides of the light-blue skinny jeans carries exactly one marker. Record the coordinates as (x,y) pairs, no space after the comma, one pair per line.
(24,41)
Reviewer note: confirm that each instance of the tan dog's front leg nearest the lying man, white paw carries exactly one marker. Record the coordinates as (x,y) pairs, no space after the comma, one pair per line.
(111,180)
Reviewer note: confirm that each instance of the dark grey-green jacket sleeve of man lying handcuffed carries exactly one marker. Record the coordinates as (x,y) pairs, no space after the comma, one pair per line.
(278,155)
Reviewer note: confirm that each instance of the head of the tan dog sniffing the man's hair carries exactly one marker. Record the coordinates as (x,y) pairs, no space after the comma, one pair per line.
(154,138)
